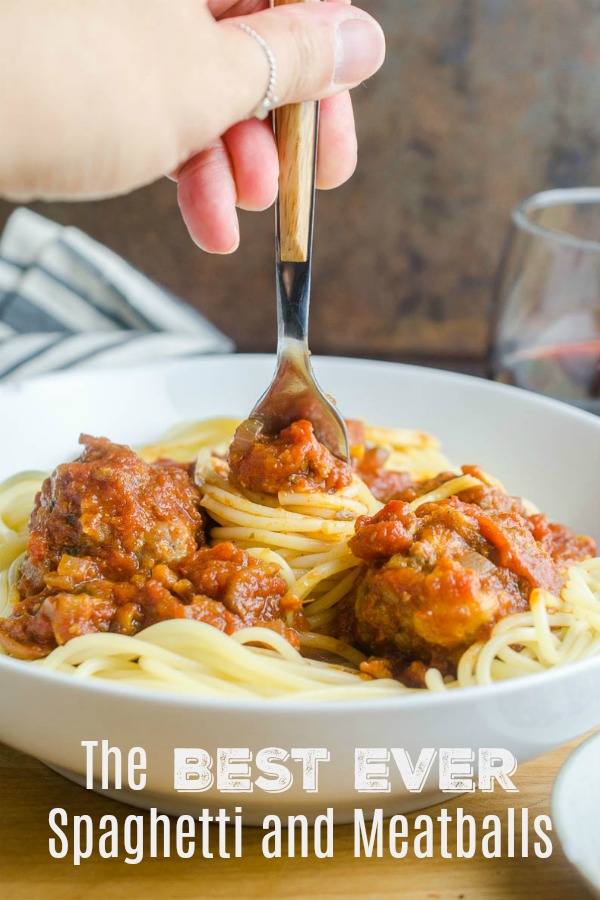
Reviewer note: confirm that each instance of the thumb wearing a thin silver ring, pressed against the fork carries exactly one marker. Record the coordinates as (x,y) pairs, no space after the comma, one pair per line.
(320,49)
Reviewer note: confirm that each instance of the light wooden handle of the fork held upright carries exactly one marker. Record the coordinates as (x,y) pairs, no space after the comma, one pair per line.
(296,130)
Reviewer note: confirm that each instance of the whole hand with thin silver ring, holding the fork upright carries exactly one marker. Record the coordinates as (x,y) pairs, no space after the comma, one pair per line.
(107,96)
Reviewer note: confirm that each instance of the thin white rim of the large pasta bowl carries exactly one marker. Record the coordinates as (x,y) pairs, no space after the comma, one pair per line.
(496,690)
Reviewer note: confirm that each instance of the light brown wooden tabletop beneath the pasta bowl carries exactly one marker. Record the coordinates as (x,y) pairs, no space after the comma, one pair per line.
(29,790)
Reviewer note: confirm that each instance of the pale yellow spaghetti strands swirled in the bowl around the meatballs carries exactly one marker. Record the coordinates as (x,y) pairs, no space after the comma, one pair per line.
(308,538)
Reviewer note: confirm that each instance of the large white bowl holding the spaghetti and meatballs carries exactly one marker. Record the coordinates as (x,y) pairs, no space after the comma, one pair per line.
(544,450)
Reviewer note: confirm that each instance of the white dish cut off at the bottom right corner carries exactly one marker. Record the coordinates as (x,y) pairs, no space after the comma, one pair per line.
(575,805)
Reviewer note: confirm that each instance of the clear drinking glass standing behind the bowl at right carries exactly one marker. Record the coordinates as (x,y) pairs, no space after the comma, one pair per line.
(546,334)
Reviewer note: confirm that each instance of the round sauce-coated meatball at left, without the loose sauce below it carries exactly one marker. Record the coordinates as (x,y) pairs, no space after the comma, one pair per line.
(111,507)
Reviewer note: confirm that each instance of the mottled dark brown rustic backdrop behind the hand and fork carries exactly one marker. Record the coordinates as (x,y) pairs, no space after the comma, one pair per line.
(480,103)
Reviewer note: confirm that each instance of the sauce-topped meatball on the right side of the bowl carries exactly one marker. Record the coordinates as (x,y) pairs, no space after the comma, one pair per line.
(438,577)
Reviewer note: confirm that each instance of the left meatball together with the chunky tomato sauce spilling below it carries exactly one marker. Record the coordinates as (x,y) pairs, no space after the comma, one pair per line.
(116,545)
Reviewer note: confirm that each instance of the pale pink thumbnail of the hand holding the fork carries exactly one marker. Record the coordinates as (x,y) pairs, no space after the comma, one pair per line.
(360,47)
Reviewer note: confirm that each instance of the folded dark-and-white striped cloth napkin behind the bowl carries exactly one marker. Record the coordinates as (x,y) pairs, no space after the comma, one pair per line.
(67,301)
